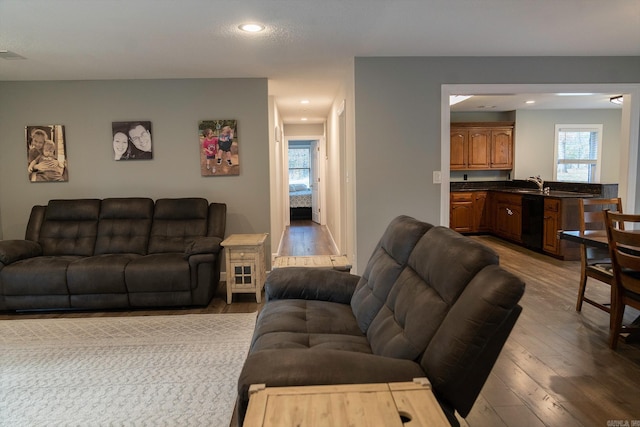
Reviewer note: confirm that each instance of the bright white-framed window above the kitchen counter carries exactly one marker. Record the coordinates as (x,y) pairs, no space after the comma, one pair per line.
(577,153)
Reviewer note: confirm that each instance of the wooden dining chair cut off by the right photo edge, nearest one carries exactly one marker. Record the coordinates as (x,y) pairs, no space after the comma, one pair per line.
(623,234)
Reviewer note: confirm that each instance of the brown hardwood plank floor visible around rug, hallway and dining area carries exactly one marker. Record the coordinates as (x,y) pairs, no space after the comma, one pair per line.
(555,369)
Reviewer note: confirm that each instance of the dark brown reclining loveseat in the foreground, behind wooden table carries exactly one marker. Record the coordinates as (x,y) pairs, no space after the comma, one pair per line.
(430,303)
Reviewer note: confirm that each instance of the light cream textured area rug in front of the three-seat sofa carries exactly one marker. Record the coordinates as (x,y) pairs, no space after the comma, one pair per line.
(179,370)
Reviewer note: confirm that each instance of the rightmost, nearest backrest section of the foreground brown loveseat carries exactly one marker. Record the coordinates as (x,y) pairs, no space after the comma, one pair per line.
(465,347)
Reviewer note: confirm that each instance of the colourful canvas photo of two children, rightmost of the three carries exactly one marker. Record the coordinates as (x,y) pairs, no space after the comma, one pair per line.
(218,142)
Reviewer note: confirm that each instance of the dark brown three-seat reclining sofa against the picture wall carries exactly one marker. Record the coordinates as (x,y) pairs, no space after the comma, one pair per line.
(115,253)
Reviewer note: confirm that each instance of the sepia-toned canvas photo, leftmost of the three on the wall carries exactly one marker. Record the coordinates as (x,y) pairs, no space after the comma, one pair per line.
(46,153)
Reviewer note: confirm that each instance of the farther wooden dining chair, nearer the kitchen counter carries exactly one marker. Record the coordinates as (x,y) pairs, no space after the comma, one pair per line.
(594,262)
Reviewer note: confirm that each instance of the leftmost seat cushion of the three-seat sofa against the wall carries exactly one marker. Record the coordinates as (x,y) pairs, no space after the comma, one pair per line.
(45,275)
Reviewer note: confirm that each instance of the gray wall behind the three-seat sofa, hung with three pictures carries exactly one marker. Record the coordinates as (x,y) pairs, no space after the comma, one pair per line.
(87,108)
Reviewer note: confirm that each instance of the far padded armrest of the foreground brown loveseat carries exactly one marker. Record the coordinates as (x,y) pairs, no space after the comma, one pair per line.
(310,284)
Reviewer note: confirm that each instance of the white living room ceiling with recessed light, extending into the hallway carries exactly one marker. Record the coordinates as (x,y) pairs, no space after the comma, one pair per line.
(307,47)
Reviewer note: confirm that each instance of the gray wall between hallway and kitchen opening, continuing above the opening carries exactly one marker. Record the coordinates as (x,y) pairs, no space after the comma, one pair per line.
(397,124)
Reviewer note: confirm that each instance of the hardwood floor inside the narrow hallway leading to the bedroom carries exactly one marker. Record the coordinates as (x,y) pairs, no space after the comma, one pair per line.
(306,238)
